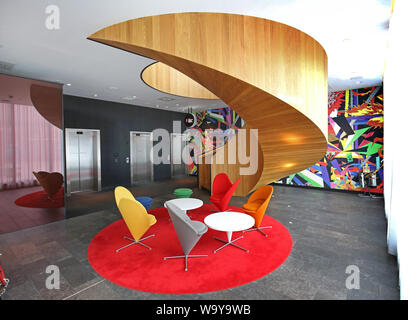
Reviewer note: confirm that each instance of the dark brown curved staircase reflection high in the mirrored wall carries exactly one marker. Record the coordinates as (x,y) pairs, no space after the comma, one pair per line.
(48,102)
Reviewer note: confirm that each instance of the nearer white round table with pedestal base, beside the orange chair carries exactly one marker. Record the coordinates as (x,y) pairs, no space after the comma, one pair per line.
(229,222)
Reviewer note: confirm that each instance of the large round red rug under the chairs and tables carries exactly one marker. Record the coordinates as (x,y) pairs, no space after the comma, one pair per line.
(141,269)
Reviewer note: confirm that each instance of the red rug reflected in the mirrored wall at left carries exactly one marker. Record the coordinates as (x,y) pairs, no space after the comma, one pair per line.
(40,199)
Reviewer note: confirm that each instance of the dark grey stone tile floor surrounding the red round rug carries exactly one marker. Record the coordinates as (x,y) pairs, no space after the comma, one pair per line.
(330,231)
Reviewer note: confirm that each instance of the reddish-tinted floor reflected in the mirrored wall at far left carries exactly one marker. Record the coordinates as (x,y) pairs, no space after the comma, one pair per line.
(13,217)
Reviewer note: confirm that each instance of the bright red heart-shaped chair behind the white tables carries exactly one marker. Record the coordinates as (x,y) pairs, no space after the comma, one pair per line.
(222,191)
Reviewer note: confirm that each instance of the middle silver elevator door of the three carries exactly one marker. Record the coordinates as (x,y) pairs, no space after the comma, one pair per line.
(141,167)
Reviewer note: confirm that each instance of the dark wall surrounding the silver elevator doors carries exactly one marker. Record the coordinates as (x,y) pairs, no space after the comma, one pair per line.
(115,121)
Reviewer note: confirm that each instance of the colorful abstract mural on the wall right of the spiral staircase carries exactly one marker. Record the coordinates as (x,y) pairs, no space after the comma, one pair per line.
(355,143)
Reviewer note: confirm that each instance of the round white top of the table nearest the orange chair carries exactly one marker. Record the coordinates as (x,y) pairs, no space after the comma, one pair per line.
(229,221)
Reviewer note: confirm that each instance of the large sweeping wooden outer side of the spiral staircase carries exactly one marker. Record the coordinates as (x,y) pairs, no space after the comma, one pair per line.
(273,75)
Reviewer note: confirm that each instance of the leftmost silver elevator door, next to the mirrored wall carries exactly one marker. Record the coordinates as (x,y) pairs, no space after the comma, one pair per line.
(83,164)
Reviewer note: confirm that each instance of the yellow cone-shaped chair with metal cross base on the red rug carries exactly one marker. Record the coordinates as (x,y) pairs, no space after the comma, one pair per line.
(135,216)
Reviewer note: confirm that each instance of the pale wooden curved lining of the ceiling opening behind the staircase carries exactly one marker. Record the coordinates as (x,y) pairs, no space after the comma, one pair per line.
(169,80)
